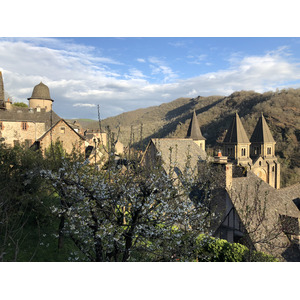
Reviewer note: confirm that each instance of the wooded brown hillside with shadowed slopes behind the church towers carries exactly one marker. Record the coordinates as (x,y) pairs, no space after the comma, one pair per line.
(281,110)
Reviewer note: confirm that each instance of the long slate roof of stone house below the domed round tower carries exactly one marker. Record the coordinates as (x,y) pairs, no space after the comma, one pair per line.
(25,114)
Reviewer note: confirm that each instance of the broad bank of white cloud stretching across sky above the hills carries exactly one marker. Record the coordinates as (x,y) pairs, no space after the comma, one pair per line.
(78,78)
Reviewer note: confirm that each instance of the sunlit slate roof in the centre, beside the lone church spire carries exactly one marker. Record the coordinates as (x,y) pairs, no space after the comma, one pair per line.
(180,150)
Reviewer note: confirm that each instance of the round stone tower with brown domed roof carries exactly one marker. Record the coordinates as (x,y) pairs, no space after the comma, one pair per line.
(40,98)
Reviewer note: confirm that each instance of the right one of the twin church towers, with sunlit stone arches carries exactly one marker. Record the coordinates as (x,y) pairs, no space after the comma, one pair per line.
(265,164)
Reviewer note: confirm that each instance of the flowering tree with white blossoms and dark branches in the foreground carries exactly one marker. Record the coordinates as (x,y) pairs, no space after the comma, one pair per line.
(127,213)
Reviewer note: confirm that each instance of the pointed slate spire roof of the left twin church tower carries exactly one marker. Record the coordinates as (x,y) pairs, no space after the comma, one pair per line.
(236,132)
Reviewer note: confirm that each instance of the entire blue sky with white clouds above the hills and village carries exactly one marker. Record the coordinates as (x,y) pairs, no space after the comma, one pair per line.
(123,74)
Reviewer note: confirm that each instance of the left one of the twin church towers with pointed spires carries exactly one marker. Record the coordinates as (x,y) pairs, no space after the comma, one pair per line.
(236,143)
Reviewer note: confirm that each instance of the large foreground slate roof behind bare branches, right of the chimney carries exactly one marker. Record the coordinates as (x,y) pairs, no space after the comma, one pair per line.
(278,203)
